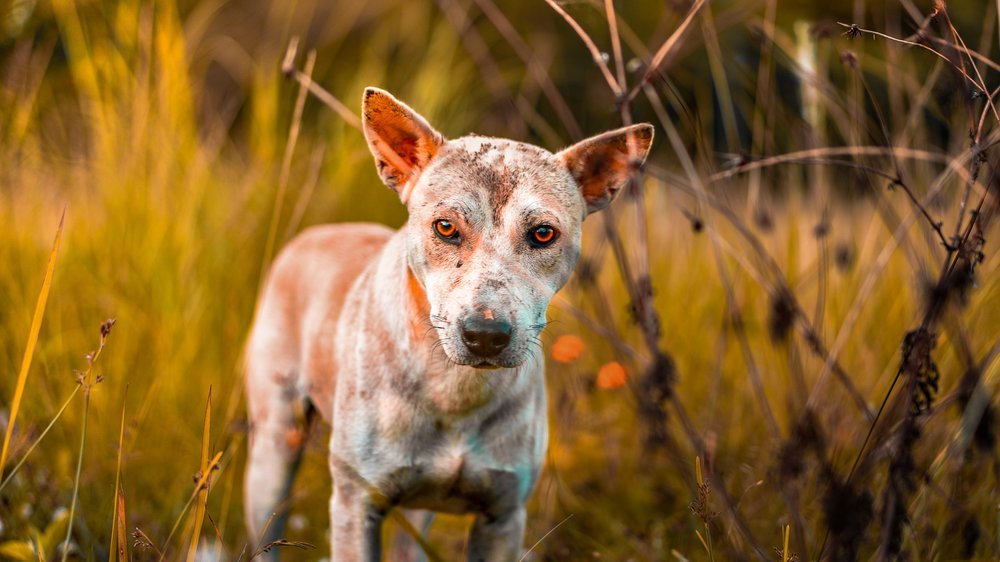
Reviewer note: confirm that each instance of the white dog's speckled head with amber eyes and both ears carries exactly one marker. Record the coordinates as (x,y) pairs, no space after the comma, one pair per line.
(494,225)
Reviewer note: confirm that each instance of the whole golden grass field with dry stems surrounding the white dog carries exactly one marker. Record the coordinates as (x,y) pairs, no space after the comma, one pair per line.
(802,287)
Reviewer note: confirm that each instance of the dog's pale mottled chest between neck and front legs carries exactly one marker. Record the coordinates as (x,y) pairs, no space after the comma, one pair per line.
(417,454)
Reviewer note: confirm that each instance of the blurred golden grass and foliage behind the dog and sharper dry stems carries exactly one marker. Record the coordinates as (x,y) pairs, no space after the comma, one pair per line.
(162,126)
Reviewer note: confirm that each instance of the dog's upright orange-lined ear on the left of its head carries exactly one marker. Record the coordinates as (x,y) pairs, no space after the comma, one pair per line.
(400,139)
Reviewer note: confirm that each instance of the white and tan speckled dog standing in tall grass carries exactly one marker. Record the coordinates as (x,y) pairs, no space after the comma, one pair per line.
(421,346)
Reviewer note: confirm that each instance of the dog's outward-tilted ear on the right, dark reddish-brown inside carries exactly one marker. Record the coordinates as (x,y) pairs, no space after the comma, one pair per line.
(602,164)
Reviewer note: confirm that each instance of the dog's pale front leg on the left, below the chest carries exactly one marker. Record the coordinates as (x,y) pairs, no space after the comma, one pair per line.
(355,523)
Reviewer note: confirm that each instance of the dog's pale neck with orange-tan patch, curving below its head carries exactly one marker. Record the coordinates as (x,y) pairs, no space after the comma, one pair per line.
(449,388)
